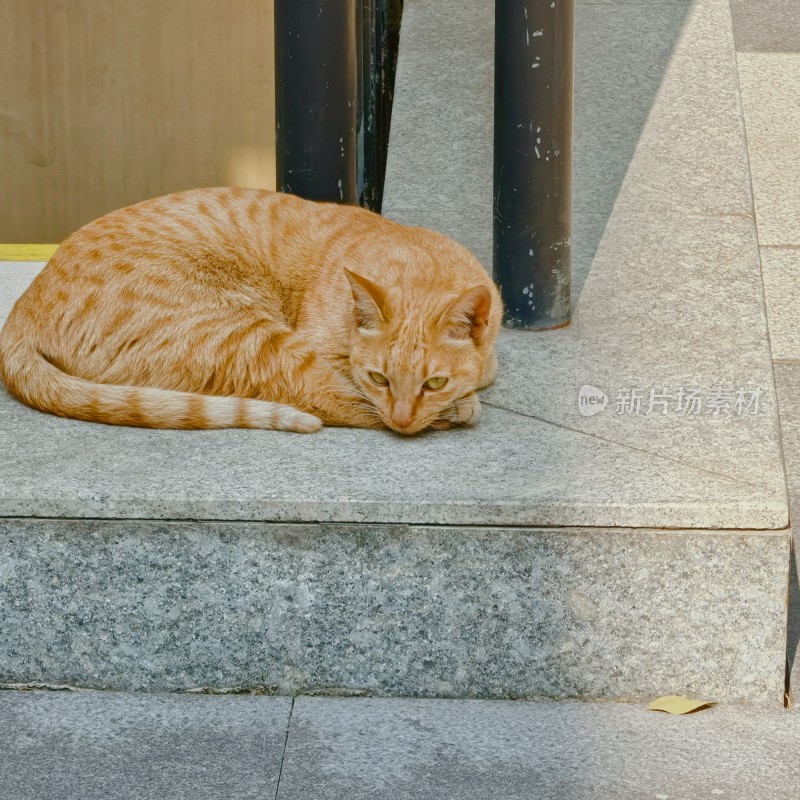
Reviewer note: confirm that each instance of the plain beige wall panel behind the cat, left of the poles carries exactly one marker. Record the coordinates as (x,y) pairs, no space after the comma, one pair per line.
(107,102)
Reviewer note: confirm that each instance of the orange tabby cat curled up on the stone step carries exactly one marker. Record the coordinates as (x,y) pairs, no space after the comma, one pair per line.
(219,308)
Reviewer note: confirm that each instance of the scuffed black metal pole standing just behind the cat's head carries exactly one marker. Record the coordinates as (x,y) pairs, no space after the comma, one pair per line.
(533,160)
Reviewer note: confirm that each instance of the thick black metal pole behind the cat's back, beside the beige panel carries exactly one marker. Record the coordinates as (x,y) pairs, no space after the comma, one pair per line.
(316,98)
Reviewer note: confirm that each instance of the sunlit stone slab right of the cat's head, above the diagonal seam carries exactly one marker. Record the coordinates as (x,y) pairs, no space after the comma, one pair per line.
(672,330)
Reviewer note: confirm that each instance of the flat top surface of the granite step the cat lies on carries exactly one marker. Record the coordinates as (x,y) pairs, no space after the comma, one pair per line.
(668,300)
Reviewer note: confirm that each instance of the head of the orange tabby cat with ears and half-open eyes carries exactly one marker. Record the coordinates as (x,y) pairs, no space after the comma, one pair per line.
(414,355)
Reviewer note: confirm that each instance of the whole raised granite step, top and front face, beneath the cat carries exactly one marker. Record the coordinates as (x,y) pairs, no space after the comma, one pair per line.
(639,550)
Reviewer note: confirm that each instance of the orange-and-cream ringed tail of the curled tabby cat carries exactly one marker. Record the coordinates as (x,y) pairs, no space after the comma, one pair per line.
(37,382)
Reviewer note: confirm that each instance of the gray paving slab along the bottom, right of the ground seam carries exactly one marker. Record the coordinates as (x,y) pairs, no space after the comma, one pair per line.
(428,750)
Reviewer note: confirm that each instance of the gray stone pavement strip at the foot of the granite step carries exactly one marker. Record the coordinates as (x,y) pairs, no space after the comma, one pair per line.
(113,746)
